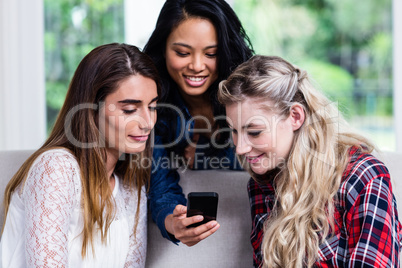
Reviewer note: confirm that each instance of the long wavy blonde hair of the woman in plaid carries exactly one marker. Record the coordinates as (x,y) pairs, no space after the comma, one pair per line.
(307,184)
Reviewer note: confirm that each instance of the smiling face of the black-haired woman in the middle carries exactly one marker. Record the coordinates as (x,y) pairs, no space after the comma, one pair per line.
(191,56)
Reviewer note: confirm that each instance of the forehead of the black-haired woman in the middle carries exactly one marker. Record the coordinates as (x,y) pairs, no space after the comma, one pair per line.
(194,31)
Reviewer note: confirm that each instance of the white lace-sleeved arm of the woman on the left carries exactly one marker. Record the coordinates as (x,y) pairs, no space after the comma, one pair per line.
(49,193)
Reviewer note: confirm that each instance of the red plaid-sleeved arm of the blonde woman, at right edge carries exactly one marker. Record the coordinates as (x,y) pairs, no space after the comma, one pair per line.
(373,225)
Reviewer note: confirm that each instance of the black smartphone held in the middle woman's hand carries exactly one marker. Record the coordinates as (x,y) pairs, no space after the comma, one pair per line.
(202,203)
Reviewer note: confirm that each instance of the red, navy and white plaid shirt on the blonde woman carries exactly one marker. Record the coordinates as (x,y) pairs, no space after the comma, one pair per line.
(367,231)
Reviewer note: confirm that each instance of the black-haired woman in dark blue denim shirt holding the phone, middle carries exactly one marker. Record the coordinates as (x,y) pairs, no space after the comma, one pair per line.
(195,45)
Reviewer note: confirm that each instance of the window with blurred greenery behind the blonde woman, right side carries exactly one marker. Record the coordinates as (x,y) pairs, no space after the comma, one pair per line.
(346,46)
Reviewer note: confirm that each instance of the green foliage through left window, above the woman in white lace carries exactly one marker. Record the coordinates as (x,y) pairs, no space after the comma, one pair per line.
(72,29)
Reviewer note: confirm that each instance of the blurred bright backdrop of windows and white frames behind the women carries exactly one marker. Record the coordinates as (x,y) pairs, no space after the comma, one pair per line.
(346,46)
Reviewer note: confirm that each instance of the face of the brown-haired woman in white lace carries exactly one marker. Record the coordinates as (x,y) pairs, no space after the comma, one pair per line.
(129,115)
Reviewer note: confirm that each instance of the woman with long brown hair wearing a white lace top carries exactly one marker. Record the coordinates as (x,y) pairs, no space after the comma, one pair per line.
(80,200)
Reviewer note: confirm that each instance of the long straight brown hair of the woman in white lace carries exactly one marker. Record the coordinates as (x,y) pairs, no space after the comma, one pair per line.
(97,76)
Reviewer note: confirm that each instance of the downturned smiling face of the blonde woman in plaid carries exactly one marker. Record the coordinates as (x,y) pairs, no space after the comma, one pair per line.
(261,135)
